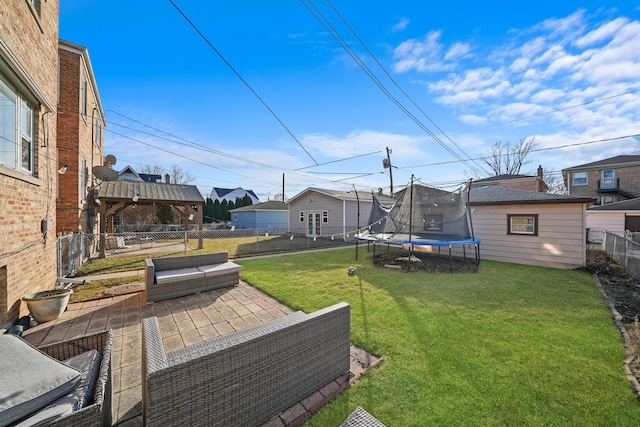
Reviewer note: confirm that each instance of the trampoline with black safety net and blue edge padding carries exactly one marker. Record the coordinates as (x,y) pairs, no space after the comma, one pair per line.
(423,216)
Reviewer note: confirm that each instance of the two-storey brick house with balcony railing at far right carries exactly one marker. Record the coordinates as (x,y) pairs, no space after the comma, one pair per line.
(608,181)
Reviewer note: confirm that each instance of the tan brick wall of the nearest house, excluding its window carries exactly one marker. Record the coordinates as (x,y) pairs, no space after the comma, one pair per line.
(27,261)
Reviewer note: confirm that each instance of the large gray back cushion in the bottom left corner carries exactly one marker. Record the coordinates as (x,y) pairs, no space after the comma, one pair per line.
(30,379)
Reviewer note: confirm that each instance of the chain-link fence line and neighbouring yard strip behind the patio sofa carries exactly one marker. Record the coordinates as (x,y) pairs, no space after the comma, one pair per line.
(82,254)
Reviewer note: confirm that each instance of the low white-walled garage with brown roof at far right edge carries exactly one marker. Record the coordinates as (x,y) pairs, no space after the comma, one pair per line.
(614,218)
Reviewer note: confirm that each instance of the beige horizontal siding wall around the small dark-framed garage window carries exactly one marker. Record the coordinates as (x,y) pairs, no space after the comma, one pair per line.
(560,242)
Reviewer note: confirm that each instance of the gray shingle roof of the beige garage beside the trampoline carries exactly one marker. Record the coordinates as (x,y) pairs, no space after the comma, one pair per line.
(505,196)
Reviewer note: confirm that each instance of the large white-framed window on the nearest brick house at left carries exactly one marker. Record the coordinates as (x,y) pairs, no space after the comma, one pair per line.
(16,129)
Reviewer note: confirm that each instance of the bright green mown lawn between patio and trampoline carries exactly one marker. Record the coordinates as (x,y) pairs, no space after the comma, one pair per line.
(509,345)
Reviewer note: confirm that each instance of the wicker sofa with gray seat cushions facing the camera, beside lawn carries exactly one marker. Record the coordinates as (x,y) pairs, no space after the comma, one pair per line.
(172,277)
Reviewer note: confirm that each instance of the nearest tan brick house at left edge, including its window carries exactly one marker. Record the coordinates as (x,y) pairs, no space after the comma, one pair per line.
(28,151)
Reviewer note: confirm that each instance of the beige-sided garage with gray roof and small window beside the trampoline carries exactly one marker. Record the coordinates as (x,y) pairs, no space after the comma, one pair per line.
(527,227)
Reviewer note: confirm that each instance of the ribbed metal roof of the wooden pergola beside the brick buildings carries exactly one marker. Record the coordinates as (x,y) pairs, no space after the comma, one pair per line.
(150,192)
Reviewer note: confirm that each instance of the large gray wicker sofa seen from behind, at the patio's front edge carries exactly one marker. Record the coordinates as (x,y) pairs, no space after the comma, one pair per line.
(247,377)
